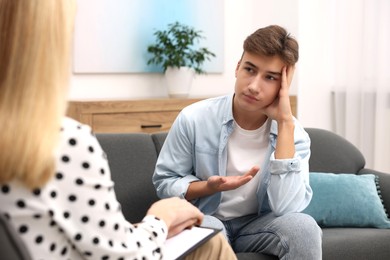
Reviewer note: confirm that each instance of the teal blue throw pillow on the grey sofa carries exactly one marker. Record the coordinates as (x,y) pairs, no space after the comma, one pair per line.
(346,200)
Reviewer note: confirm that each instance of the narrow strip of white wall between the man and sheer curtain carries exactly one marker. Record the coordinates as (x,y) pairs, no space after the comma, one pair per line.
(314,91)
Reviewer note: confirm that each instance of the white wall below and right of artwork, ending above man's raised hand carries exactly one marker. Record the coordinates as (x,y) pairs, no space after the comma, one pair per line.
(241,18)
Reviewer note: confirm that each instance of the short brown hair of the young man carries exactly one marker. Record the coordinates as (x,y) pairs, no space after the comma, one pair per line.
(273,40)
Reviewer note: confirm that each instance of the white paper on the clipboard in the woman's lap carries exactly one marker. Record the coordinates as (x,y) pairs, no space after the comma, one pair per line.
(179,246)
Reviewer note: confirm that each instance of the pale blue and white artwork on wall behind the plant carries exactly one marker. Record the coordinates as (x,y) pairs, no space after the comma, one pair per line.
(112,36)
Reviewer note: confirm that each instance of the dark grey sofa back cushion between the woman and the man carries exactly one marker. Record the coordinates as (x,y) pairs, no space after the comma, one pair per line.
(132,158)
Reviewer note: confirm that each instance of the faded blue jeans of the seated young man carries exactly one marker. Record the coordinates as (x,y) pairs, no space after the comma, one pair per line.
(291,236)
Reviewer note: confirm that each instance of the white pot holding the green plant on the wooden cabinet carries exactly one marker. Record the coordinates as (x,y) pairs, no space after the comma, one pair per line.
(179,81)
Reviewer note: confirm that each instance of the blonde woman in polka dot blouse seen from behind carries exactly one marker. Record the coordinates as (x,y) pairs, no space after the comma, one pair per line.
(52,170)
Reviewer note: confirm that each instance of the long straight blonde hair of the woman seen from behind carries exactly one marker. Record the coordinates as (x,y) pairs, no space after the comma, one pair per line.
(35,40)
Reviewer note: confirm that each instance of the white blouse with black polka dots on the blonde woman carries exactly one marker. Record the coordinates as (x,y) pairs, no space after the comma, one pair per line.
(76,215)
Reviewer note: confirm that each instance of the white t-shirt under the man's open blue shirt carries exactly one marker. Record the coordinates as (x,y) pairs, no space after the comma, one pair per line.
(245,149)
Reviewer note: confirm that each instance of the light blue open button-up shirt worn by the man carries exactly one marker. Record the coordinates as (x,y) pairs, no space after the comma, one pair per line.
(196,148)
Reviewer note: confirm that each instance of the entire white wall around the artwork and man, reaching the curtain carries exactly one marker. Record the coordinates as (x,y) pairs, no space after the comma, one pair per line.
(242,17)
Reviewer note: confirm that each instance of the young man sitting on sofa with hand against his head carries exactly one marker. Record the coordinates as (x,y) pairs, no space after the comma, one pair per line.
(242,159)
